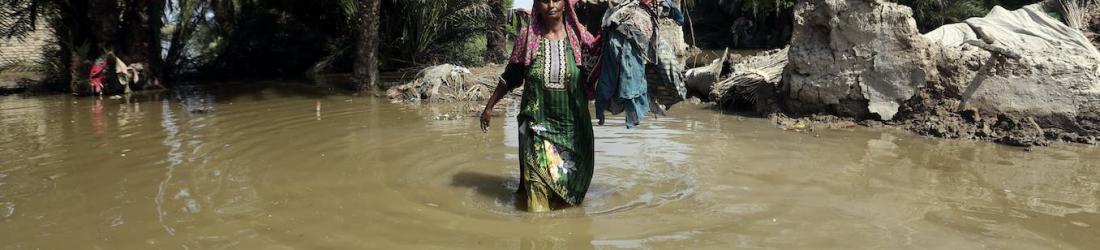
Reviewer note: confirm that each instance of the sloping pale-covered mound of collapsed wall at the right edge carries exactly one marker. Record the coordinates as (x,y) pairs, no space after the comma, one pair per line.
(1031,70)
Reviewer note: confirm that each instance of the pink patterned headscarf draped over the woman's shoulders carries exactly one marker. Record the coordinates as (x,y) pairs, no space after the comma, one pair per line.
(527,42)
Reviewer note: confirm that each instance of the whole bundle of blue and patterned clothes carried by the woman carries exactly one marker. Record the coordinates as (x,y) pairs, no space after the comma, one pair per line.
(631,40)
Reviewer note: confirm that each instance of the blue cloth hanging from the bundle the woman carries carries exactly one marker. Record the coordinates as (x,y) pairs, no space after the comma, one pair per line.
(622,85)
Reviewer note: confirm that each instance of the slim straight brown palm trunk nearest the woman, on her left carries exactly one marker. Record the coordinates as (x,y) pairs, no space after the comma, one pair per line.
(367,60)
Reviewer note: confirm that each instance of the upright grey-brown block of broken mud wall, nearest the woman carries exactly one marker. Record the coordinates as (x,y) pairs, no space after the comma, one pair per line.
(855,58)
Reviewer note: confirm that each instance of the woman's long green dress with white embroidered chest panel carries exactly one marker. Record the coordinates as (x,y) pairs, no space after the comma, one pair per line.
(556,140)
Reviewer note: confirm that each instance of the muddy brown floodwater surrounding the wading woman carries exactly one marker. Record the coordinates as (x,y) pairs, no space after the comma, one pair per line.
(295,168)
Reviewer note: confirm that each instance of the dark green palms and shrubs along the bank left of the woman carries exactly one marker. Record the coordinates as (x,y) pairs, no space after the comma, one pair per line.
(239,39)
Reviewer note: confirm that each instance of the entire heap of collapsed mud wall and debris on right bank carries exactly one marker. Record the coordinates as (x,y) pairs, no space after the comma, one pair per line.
(1017,78)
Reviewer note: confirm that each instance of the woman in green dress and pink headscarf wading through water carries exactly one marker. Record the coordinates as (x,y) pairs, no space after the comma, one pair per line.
(556,147)
